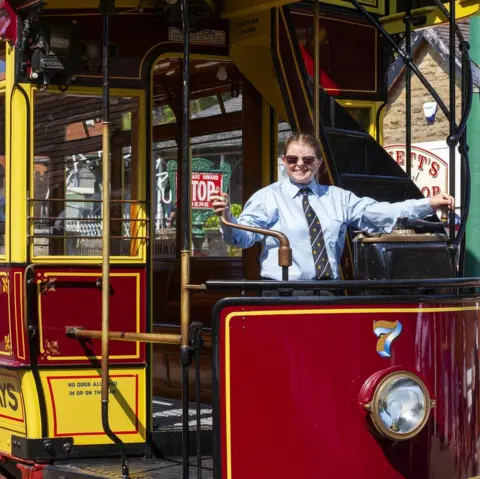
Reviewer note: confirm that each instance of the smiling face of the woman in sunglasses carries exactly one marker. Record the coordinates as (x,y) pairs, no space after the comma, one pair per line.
(301,163)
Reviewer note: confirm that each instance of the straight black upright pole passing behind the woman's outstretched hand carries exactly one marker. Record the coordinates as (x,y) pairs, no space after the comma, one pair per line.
(452,144)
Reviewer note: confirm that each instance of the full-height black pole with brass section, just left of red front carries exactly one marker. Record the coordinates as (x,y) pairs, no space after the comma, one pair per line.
(185,228)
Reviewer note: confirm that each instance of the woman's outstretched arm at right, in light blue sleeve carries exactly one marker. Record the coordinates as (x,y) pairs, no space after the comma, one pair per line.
(370,215)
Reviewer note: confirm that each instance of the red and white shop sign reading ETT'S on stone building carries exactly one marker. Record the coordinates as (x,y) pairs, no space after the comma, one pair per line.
(429,171)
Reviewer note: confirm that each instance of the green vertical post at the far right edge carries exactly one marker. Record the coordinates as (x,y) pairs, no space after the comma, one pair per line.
(472,257)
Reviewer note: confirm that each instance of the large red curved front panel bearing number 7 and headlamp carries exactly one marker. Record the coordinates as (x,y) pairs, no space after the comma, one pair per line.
(294,380)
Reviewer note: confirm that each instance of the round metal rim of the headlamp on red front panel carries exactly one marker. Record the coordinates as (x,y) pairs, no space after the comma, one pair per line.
(373,405)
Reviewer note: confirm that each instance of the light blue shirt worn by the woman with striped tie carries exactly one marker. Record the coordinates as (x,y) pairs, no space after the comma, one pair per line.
(279,207)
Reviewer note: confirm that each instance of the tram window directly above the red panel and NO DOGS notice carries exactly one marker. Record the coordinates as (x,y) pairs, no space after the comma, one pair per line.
(67,175)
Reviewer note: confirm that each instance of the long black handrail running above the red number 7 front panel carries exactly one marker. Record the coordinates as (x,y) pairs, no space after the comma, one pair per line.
(345,284)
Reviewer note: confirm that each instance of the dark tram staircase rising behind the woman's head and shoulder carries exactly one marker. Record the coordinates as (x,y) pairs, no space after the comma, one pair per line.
(355,160)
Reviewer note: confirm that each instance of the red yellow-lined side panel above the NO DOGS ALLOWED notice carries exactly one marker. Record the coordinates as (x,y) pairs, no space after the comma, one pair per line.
(73,298)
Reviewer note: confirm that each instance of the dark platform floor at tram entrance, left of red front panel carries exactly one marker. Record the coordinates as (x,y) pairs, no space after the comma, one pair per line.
(167,439)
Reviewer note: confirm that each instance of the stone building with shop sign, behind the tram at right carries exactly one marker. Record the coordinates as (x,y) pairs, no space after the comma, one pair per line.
(430,127)
